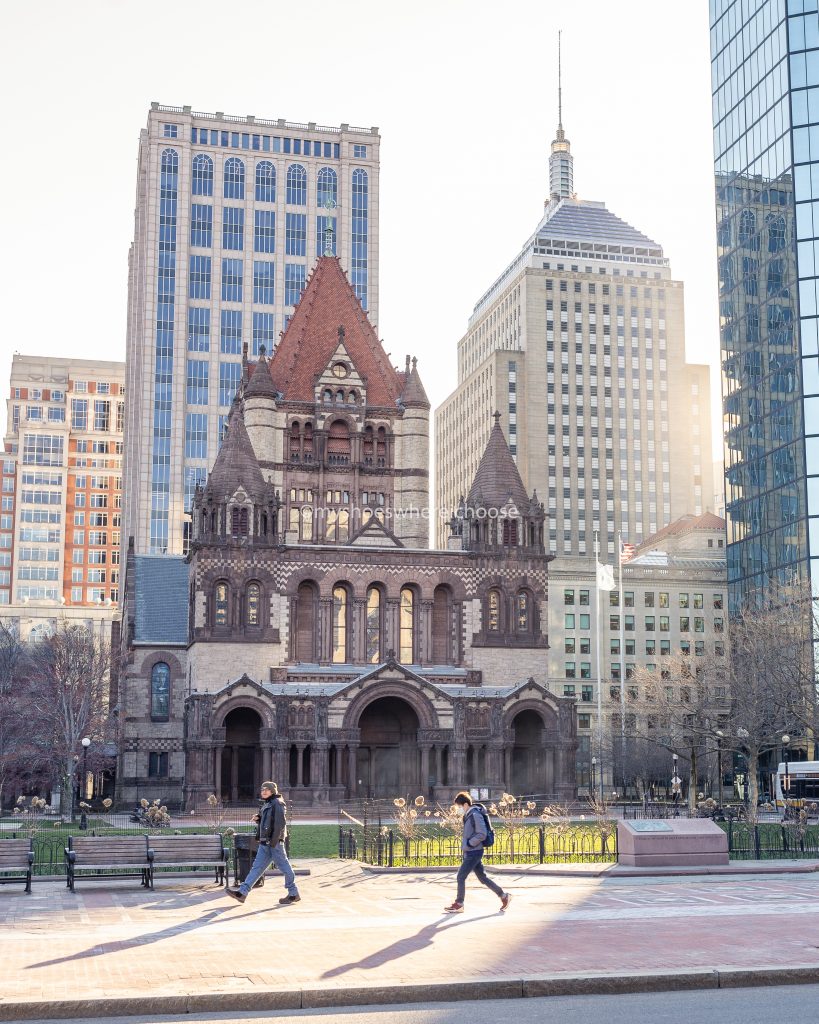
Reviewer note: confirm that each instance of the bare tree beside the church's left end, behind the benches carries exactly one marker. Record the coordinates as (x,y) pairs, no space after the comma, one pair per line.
(69,700)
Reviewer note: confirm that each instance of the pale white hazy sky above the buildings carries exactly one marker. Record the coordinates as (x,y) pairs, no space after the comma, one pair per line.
(464,93)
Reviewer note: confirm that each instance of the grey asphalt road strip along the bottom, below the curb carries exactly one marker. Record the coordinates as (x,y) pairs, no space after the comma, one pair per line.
(738,1006)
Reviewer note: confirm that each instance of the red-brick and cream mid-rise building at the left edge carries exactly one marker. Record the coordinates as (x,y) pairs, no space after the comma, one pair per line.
(62,484)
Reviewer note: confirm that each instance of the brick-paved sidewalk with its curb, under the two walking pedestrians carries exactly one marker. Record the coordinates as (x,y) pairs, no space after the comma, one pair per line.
(362,937)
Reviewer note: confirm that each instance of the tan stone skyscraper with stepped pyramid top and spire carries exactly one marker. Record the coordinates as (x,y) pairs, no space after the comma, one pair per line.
(580,345)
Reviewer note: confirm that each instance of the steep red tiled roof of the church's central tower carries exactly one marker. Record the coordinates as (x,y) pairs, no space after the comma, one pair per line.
(312,339)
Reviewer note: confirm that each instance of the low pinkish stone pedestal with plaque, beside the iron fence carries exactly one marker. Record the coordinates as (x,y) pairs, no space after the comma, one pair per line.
(682,842)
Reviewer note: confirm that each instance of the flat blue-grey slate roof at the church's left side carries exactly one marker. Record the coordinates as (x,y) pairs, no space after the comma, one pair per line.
(161,600)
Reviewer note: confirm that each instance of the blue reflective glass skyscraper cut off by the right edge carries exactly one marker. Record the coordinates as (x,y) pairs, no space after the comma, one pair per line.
(765,74)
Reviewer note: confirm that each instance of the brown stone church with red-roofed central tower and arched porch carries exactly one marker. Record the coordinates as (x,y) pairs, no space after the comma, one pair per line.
(311,635)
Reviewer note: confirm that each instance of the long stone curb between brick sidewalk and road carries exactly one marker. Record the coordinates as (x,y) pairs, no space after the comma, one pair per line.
(448,992)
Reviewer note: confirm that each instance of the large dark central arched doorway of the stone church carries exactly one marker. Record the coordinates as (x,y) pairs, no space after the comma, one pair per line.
(389,759)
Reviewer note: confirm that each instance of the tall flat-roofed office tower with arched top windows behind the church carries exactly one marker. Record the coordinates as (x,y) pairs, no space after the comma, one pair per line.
(231,215)
